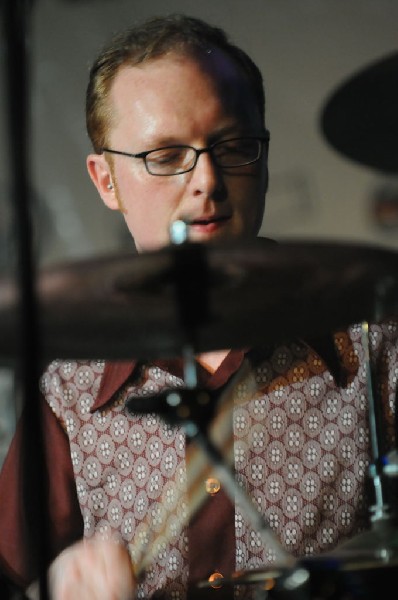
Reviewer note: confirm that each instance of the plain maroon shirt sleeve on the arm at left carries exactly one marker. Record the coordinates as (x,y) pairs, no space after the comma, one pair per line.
(60,520)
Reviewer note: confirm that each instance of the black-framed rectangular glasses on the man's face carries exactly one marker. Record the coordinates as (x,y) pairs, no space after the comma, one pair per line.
(178,159)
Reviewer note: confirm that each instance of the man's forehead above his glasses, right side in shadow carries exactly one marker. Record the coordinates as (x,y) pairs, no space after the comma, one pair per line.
(178,84)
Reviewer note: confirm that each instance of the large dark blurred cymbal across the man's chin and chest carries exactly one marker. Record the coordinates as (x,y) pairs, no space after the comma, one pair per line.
(209,297)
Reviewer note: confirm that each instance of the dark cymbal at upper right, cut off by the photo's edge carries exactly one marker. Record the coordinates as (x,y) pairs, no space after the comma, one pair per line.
(360,118)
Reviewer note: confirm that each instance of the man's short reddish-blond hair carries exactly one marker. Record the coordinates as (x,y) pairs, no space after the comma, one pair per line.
(155,38)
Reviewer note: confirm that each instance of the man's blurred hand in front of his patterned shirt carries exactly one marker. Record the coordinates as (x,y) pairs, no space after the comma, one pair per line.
(92,570)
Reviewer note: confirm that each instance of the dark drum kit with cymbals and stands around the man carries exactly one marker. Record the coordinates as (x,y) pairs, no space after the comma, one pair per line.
(150,306)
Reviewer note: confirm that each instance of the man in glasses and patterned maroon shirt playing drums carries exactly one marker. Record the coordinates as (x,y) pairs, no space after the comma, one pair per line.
(176,117)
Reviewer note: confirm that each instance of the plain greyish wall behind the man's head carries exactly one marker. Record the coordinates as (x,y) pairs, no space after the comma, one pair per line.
(305,49)
